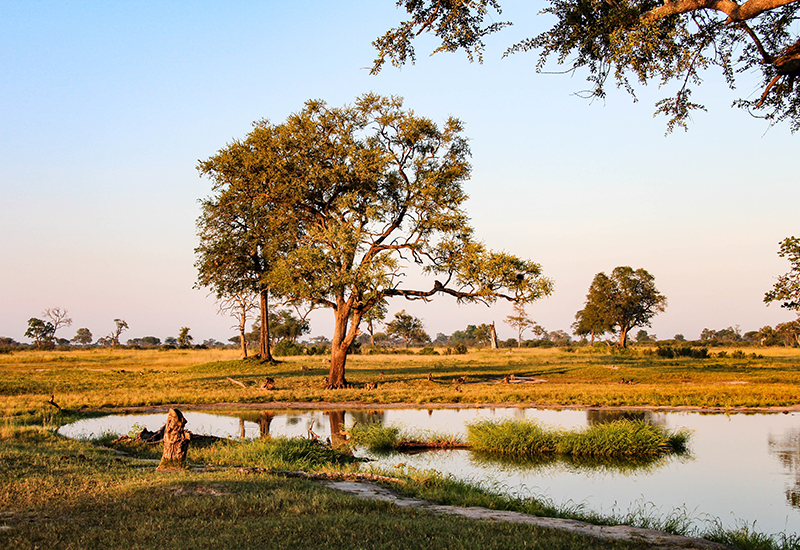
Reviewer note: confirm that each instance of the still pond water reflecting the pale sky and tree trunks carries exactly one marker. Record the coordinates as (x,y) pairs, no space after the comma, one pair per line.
(741,467)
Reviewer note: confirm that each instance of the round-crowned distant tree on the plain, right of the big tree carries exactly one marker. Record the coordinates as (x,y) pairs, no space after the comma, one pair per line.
(626,299)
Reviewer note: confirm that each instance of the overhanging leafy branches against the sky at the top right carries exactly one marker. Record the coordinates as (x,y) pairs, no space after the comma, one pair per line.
(628,41)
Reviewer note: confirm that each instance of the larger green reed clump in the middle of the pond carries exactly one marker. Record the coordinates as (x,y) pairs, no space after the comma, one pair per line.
(619,439)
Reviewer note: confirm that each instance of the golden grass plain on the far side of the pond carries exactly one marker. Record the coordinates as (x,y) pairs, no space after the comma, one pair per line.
(98,379)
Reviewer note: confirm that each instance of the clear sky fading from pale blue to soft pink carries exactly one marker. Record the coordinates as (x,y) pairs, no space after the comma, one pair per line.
(107,107)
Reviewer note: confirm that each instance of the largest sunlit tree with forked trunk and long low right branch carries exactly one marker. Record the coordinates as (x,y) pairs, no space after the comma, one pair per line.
(371,190)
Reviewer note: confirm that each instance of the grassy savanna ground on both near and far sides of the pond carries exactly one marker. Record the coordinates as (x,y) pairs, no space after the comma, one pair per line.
(63,493)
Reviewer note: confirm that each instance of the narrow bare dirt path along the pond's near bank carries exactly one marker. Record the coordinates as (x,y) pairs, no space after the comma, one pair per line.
(653,539)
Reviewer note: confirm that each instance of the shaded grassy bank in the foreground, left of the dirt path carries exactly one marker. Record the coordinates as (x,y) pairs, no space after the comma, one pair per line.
(58,493)
